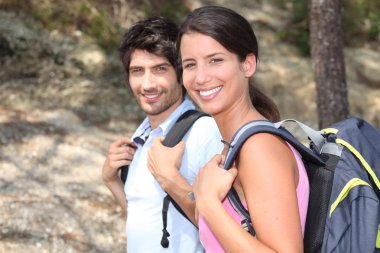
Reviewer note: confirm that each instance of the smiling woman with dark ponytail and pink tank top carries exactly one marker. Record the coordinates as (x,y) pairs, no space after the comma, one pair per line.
(219,54)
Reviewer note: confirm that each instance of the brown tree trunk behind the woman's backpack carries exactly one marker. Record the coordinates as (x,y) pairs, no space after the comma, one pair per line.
(325,23)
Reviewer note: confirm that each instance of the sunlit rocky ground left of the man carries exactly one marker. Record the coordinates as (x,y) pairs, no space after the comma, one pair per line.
(62,101)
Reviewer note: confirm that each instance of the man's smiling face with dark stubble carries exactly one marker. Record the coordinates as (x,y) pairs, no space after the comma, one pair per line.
(154,83)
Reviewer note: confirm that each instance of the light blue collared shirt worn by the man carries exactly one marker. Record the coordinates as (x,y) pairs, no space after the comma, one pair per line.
(145,195)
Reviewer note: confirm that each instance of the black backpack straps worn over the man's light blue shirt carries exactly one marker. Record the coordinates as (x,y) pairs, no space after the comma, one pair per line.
(174,136)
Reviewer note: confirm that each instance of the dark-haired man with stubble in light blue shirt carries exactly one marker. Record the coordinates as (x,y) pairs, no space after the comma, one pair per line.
(149,56)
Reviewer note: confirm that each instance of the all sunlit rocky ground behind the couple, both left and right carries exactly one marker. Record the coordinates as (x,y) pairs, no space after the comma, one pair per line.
(63,100)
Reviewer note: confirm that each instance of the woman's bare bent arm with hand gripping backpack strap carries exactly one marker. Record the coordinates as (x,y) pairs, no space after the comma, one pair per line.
(267,181)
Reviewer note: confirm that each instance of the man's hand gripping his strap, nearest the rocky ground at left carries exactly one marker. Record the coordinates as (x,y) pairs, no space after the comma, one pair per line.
(120,153)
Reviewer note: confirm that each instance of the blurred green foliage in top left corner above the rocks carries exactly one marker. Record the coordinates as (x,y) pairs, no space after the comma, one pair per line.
(71,15)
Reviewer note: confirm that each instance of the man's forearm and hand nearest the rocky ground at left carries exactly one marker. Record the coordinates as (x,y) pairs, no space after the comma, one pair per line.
(120,153)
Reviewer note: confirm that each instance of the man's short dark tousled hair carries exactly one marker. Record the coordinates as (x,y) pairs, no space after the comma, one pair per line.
(155,35)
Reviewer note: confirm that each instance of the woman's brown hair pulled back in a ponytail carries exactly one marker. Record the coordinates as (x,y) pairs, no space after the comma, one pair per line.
(234,33)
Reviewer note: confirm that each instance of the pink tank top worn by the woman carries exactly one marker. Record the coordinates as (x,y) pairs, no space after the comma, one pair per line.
(211,243)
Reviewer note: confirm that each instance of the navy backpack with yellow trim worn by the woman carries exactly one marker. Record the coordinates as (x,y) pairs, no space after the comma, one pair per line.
(343,167)
